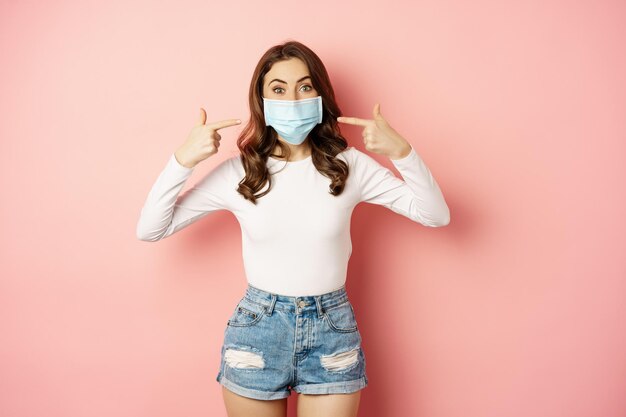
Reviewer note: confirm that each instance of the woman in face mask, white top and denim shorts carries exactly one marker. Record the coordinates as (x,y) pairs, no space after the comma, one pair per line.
(293,189)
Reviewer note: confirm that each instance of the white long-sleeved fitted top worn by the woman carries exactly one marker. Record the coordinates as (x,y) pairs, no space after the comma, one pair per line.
(296,239)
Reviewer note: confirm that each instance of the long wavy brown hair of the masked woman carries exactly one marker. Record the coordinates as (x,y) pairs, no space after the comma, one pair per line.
(257,141)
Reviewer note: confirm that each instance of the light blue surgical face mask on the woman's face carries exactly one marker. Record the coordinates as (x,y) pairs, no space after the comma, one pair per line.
(293,120)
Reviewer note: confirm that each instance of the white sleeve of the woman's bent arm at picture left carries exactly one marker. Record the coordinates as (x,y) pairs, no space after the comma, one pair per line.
(165,212)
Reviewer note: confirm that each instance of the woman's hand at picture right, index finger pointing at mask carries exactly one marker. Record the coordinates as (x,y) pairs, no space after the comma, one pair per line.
(379,136)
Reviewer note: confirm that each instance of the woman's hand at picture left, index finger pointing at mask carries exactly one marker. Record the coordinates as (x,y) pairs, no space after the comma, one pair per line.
(203,141)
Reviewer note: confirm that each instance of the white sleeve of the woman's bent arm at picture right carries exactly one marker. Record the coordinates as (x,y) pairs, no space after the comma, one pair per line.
(418,197)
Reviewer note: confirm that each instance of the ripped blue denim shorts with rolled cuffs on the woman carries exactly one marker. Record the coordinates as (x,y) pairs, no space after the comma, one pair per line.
(274,343)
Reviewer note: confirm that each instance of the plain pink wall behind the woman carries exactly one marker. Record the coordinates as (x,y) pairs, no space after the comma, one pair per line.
(517,308)
